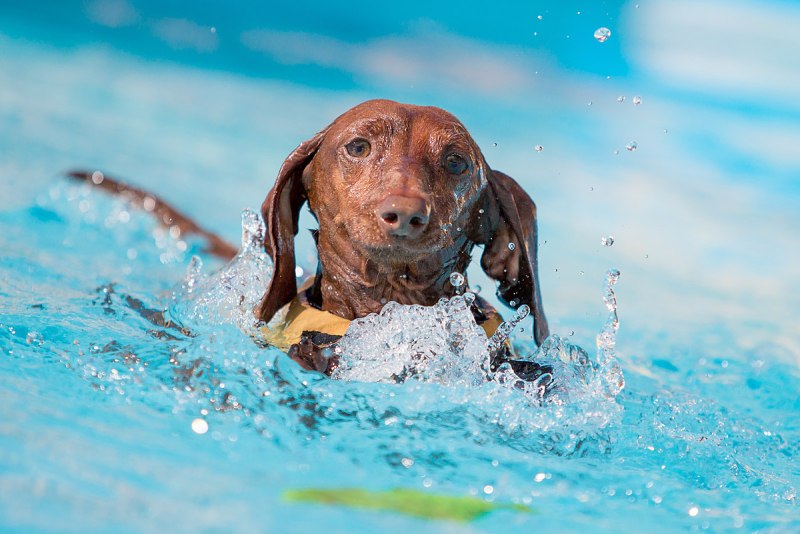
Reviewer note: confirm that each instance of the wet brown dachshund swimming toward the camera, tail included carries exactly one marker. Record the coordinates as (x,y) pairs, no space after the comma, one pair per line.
(402,194)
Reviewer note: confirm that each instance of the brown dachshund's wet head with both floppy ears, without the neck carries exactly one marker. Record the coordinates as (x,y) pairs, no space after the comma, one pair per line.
(401,182)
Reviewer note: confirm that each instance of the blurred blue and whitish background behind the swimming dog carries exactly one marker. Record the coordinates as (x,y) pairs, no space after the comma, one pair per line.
(675,129)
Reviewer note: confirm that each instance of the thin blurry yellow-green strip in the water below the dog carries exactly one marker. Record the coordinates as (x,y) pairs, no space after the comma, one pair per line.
(404,501)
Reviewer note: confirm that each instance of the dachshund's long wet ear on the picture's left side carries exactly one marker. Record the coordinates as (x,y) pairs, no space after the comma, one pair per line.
(281,211)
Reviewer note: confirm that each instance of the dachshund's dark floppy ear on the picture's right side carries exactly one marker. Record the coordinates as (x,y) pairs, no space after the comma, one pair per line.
(510,249)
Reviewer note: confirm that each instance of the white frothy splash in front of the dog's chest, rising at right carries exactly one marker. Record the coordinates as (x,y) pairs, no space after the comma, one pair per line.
(442,344)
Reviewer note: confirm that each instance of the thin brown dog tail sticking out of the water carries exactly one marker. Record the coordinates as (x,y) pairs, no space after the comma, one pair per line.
(163,212)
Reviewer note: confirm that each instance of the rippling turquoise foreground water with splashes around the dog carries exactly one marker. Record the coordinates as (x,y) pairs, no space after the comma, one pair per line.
(136,391)
